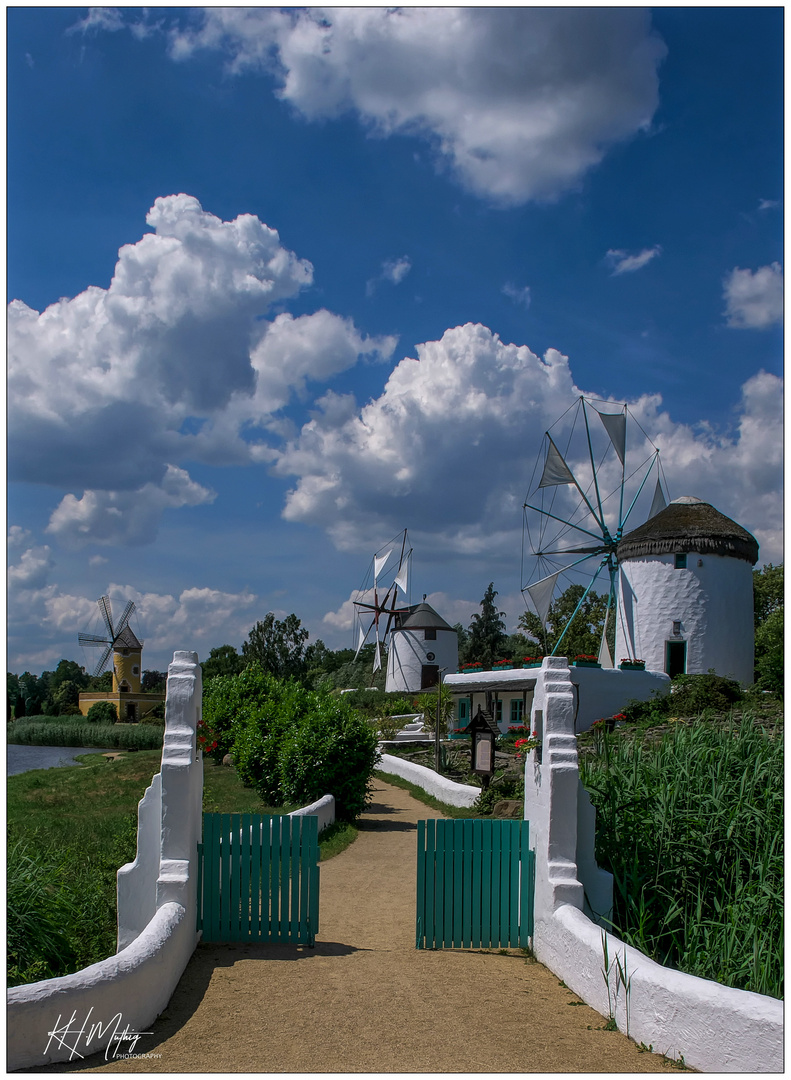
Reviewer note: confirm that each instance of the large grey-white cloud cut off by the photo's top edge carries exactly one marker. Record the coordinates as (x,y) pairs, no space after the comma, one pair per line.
(520,102)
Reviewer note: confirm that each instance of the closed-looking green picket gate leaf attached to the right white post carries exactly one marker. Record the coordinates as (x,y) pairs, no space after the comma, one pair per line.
(475,884)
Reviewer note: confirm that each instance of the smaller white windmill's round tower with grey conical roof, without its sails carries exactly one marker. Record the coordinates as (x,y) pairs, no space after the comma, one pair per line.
(422,645)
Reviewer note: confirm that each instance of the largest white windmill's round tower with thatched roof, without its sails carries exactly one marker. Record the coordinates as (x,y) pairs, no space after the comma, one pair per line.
(686,593)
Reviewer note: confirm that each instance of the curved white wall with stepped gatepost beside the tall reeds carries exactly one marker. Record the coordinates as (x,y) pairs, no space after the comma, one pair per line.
(715,1028)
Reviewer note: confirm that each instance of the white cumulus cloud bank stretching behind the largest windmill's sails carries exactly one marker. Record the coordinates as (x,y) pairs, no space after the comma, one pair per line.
(451,443)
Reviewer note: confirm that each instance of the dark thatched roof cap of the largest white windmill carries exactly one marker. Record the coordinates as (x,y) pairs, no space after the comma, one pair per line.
(690,525)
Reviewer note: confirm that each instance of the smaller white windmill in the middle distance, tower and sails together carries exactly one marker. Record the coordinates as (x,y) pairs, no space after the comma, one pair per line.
(421,644)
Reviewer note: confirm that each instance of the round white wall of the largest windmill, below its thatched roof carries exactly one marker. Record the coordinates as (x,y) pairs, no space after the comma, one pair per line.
(713,600)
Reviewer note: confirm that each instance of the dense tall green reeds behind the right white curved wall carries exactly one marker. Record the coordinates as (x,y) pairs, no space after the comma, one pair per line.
(691,829)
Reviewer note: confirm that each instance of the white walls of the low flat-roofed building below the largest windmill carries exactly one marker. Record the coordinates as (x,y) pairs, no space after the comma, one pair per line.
(598,692)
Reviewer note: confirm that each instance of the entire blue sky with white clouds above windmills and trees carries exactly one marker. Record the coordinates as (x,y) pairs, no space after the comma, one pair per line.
(285,282)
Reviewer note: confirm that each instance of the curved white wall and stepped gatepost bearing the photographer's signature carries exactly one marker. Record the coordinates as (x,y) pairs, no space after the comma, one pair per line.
(133,987)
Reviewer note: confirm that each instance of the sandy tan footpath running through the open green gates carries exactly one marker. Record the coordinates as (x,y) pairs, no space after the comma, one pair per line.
(366,1001)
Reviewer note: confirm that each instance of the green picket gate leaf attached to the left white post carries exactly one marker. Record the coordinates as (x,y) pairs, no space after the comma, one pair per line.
(259,879)
